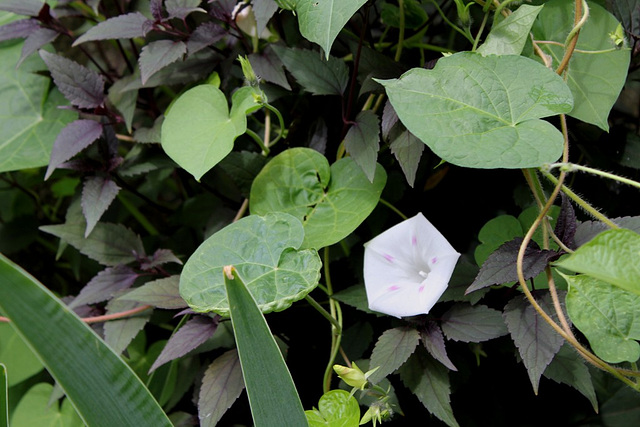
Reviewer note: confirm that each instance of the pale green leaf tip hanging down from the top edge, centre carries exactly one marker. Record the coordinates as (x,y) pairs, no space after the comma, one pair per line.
(322,20)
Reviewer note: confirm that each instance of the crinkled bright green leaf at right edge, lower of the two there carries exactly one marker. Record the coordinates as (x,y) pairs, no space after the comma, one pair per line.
(607,316)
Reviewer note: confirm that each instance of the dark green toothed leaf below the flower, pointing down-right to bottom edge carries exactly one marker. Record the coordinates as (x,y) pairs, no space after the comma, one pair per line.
(429,381)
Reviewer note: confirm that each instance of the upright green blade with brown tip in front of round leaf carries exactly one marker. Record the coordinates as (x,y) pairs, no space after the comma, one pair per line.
(272,394)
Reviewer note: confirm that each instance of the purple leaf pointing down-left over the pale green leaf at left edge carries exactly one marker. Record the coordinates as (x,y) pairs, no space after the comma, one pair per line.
(72,139)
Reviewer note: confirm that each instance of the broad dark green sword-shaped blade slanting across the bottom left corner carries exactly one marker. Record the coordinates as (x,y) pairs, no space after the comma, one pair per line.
(103,388)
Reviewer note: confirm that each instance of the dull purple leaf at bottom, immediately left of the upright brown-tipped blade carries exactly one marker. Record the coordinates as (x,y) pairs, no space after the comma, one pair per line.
(221,386)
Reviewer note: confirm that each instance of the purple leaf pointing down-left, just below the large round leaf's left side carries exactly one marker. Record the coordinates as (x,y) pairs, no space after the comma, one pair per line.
(193,333)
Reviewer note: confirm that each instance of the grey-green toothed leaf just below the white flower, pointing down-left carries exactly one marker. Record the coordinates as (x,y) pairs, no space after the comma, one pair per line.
(391,351)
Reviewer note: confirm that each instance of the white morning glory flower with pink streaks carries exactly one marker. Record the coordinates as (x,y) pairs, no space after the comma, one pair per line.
(407,268)
